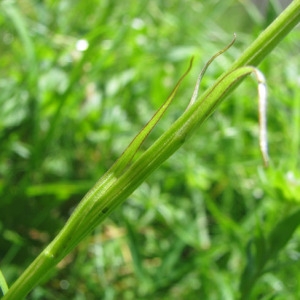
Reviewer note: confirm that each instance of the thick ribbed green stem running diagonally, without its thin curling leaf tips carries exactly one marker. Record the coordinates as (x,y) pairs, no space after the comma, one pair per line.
(109,193)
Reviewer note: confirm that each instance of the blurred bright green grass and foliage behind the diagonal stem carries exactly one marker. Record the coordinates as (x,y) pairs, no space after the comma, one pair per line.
(67,114)
